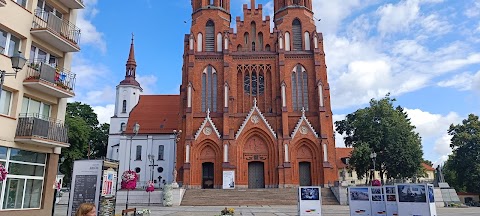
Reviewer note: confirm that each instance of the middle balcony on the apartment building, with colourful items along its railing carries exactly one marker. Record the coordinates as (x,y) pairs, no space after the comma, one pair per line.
(50,79)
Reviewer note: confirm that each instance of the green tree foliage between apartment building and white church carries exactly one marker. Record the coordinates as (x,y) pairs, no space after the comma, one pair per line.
(83,130)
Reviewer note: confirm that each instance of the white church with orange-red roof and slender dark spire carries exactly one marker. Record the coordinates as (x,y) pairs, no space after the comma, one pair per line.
(150,152)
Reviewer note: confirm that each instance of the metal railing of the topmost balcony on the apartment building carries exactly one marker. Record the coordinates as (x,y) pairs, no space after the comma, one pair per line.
(63,28)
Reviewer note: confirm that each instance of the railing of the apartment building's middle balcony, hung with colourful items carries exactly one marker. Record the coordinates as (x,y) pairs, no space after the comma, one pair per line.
(39,69)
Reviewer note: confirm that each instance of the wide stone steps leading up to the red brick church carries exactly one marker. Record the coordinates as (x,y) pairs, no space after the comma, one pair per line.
(249,197)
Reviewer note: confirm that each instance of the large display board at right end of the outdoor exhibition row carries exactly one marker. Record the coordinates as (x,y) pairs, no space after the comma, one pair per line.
(416,199)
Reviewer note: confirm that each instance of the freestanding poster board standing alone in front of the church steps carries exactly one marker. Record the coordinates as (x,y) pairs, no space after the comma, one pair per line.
(309,201)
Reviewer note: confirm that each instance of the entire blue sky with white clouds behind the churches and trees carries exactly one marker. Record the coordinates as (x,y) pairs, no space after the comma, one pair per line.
(425,52)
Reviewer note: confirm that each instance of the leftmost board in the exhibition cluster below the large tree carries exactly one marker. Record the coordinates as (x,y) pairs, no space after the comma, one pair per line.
(359,201)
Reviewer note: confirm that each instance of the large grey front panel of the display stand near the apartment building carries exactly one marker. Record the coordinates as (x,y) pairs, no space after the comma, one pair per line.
(86,180)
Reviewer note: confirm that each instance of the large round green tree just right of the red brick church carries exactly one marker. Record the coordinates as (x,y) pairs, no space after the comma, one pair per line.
(388,132)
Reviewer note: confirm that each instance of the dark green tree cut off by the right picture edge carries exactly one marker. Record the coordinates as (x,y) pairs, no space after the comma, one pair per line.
(465,161)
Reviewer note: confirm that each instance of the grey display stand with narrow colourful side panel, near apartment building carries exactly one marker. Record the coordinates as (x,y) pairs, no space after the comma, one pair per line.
(93,181)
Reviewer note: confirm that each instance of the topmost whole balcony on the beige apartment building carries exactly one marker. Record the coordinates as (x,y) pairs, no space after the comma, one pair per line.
(58,32)
